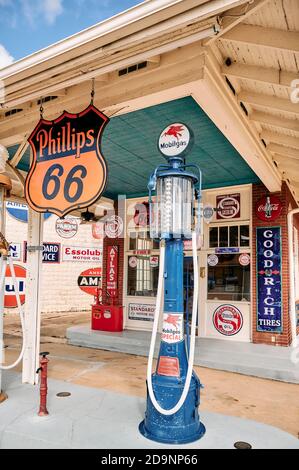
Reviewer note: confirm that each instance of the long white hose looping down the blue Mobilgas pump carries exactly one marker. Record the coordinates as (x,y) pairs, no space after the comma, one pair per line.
(182,399)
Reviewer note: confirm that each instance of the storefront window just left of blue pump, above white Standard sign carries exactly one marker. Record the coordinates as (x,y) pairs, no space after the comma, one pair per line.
(142,277)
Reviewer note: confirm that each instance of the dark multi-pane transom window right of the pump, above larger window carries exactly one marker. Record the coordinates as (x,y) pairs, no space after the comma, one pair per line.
(229,236)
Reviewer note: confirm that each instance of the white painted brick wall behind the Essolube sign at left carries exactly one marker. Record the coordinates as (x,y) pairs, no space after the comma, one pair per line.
(60,291)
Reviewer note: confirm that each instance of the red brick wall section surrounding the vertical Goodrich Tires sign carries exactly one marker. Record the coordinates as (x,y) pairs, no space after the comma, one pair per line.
(258,191)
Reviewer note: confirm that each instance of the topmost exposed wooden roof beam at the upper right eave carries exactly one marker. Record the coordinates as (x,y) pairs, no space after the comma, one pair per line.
(264,37)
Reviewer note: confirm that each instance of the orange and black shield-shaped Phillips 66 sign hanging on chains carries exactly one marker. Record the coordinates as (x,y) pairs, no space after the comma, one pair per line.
(68,170)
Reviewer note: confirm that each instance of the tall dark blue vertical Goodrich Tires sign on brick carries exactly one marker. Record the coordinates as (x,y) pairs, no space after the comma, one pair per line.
(269,307)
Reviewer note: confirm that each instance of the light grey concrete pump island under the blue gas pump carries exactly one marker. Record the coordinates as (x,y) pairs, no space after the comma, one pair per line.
(101,419)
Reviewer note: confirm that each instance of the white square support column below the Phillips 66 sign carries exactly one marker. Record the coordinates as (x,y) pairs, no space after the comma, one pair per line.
(33,295)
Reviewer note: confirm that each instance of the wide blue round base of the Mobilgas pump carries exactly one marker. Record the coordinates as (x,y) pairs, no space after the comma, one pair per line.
(182,427)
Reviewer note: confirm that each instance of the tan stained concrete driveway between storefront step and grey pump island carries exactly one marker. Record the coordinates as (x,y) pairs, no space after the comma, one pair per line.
(266,401)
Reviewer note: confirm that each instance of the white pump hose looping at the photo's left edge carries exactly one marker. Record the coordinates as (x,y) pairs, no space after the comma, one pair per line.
(5,252)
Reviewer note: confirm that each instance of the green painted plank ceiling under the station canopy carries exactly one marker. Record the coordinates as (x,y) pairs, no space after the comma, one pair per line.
(129,145)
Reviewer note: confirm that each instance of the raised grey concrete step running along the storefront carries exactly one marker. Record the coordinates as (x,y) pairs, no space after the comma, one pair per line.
(258,360)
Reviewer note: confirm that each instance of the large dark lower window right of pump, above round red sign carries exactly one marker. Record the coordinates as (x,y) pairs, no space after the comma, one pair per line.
(229,280)
